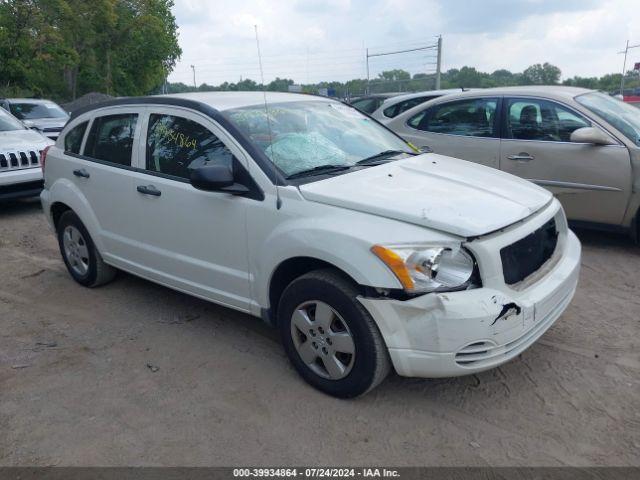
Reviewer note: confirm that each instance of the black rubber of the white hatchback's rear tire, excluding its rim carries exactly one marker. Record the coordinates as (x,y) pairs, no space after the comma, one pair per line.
(98,272)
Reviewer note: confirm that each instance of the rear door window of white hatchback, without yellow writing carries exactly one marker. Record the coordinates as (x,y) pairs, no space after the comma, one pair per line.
(111,138)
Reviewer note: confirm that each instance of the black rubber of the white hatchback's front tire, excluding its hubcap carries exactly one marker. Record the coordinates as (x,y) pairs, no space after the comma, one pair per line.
(370,363)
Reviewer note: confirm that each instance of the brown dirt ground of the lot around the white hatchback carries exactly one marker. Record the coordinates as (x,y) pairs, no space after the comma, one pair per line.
(135,374)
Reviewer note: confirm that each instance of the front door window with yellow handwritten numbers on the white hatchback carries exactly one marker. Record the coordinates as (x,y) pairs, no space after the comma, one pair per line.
(176,145)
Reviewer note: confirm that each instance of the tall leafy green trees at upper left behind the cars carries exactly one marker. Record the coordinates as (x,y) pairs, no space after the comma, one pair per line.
(64,48)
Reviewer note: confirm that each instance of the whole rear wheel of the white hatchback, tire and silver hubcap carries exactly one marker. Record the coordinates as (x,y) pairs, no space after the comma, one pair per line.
(79,253)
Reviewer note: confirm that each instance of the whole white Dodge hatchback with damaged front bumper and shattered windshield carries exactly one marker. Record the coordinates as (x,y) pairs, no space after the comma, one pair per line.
(364,254)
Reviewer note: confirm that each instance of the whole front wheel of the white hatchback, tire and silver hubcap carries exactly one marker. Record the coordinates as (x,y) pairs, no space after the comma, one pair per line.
(330,337)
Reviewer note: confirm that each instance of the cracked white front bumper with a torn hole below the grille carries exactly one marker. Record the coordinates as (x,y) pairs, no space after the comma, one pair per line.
(459,333)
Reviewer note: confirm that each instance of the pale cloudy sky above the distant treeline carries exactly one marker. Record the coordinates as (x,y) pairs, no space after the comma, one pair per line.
(315,40)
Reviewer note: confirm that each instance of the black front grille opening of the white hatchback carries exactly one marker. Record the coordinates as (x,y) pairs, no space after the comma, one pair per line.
(527,255)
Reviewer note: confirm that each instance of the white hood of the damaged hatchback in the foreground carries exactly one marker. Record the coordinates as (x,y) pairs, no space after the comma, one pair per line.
(444,193)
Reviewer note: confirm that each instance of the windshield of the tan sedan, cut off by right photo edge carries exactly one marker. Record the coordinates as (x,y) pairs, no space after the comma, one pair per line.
(621,115)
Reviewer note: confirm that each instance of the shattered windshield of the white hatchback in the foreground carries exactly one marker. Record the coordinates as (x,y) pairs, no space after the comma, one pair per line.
(300,136)
